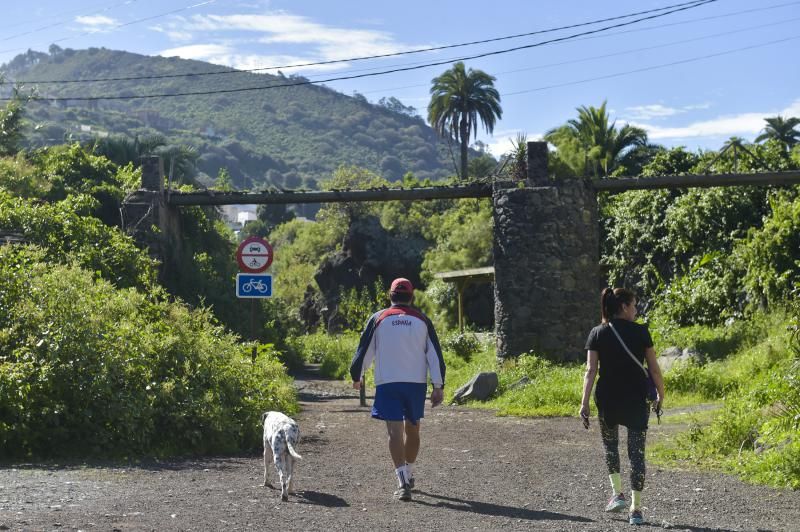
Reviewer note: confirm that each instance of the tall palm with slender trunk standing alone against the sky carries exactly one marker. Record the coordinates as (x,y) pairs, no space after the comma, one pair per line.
(459,99)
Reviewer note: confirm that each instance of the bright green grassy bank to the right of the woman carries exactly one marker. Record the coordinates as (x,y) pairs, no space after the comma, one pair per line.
(754,433)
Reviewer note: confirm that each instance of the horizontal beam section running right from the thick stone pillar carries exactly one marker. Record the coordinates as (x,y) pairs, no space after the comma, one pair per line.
(693,181)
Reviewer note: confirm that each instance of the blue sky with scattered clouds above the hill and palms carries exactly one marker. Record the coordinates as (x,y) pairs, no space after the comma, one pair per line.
(655,74)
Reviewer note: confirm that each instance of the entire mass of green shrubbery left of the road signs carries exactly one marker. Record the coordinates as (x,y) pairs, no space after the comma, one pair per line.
(96,359)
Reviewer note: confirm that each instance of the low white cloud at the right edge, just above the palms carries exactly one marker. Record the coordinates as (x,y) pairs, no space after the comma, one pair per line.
(744,124)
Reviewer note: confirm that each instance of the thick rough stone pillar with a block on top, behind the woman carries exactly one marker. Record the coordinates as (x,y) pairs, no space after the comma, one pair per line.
(546,261)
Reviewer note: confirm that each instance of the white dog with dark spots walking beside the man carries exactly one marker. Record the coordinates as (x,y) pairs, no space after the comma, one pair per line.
(281,434)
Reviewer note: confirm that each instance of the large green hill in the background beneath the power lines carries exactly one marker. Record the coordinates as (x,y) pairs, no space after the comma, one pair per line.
(287,137)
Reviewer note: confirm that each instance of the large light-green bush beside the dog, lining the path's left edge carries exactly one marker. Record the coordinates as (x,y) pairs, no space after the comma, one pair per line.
(90,370)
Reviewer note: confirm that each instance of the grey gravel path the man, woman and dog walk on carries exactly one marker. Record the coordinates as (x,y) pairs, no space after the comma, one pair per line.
(475,472)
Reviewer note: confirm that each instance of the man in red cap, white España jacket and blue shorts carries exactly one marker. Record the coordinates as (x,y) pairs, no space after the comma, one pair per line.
(404,346)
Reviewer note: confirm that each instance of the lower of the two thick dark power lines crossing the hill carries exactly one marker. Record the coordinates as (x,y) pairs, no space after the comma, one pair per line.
(391,71)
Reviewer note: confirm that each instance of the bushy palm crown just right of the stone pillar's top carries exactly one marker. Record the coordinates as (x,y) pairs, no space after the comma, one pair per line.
(603,146)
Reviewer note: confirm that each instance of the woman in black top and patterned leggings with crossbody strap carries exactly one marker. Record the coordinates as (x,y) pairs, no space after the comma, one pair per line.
(621,394)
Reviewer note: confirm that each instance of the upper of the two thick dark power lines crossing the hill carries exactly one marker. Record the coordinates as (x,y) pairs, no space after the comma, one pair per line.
(686,5)
